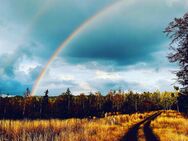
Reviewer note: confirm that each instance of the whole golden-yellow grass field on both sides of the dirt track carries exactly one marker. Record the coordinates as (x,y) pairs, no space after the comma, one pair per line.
(168,126)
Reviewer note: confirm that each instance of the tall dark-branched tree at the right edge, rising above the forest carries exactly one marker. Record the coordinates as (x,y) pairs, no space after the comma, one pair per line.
(177,31)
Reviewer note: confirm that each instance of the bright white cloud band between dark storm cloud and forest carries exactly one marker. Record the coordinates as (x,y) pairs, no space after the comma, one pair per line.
(79,78)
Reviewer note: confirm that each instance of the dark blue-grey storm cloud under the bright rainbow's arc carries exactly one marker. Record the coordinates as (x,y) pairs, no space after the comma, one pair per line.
(127,36)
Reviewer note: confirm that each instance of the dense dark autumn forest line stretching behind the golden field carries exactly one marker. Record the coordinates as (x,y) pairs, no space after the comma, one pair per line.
(68,105)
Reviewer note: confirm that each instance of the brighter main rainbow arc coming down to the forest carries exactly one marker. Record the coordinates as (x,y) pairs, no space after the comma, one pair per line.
(69,39)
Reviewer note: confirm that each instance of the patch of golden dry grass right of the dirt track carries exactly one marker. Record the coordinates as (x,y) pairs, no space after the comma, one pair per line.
(171,126)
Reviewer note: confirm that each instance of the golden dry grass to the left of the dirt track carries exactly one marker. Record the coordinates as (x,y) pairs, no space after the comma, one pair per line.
(105,129)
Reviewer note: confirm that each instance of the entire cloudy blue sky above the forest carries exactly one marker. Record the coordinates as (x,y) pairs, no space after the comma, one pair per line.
(121,47)
